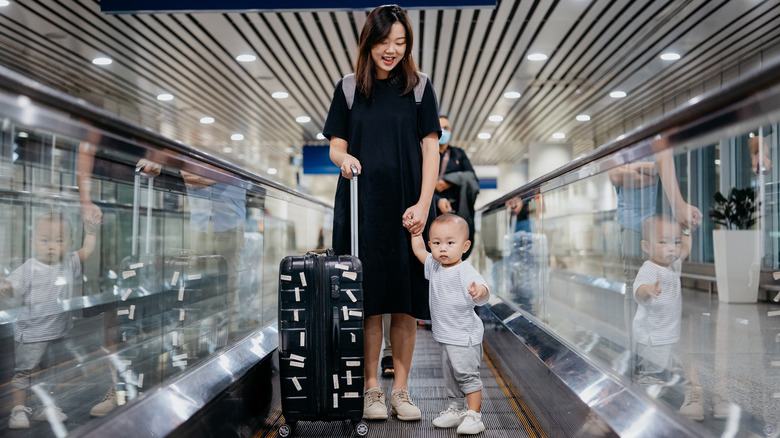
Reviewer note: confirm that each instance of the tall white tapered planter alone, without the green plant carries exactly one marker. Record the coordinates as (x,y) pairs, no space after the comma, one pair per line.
(737,264)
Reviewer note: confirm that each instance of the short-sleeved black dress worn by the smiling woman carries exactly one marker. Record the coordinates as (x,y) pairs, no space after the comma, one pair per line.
(384,133)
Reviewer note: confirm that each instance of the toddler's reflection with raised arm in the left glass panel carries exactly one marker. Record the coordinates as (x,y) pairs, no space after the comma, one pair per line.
(42,284)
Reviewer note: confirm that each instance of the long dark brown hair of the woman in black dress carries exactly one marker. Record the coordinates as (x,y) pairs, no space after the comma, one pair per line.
(377,28)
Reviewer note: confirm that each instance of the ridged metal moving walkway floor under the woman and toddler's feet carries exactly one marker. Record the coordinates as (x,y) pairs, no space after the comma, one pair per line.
(505,415)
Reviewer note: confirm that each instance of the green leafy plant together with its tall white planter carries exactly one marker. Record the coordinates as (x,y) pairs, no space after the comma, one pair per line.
(736,247)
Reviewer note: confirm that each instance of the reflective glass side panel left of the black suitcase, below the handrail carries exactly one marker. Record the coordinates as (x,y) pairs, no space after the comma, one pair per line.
(123,266)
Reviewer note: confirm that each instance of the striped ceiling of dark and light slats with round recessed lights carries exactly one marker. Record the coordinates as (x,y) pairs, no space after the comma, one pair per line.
(509,77)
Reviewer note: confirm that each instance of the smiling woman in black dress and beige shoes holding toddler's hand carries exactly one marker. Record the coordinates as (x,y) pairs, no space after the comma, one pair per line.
(393,142)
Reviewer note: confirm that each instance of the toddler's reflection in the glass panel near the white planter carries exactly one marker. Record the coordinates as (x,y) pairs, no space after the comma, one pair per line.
(657,289)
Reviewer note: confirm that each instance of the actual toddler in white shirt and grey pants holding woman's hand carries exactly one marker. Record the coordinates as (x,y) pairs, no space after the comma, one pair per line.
(455,288)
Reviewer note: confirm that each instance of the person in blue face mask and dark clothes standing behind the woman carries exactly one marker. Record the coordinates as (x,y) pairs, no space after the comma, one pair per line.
(457,187)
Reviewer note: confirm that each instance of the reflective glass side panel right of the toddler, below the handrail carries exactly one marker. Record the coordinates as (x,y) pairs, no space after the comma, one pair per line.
(632,266)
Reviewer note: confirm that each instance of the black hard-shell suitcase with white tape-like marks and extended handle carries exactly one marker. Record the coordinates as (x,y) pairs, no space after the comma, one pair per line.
(321,336)
